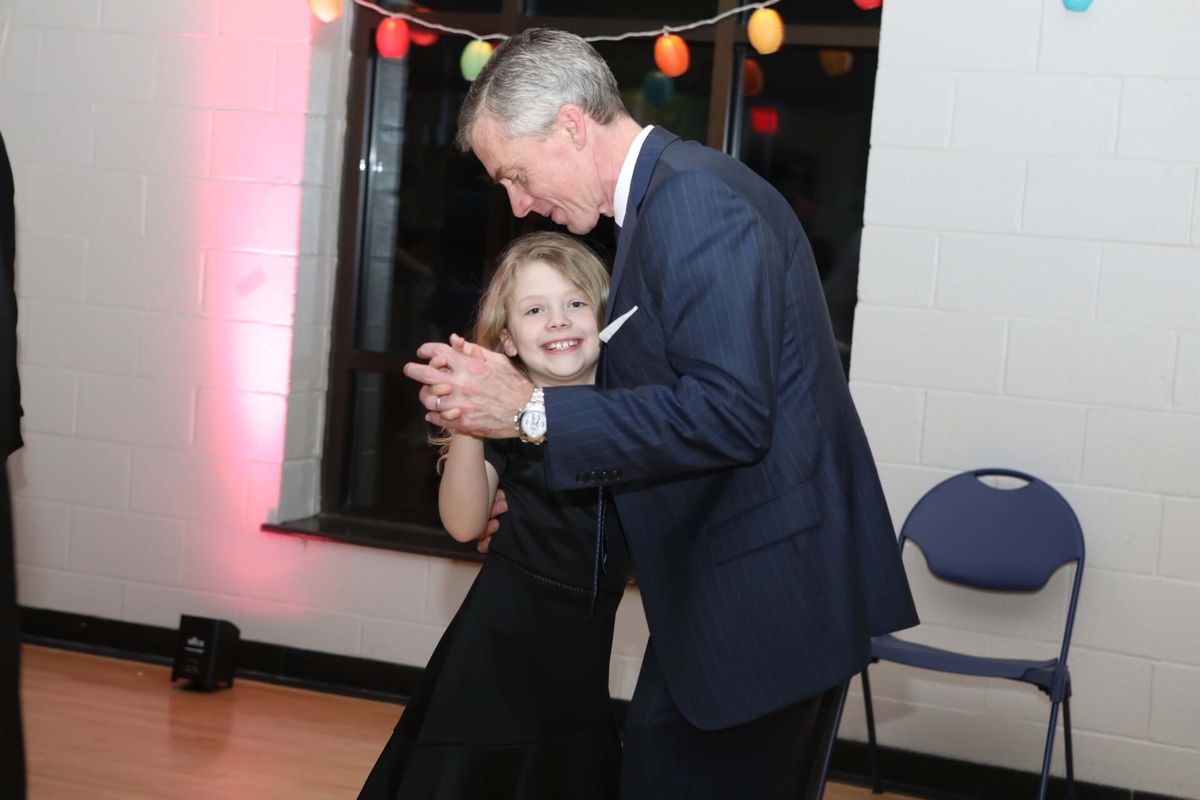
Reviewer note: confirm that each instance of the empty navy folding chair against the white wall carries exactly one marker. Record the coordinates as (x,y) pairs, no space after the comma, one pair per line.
(998,540)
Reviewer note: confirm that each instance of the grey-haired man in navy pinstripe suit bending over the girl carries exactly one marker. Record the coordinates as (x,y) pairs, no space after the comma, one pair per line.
(724,430)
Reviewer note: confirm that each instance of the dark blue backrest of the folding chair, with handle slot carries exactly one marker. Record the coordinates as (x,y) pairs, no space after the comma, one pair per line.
(998,539)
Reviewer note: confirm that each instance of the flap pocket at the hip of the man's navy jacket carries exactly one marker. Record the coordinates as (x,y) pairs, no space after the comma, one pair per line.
(775,520)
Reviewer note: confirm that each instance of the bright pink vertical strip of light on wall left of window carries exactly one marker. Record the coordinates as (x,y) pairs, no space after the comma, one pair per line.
(256,82)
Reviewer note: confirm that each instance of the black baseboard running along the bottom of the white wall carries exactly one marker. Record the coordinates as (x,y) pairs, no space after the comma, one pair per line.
(910,773)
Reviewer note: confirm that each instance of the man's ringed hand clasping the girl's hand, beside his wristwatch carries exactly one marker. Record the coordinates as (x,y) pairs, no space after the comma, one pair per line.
(470,389)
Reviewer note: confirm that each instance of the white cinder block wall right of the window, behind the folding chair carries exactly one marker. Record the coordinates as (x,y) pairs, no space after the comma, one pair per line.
(1030,298)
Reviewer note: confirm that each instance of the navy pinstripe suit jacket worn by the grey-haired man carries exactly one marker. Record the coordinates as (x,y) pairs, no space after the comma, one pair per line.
(764,548)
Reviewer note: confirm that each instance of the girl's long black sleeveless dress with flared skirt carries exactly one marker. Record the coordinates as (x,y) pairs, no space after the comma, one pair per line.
(515,703)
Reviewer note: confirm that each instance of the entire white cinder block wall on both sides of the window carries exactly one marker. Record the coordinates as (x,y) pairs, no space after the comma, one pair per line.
(1030,292)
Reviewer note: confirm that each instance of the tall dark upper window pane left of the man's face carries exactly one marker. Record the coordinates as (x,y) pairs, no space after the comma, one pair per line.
(433,220)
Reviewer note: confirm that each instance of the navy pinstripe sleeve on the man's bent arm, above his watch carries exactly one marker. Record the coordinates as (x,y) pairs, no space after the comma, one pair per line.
(716,273)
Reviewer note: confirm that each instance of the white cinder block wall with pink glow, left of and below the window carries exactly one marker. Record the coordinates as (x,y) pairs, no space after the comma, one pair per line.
(178,166)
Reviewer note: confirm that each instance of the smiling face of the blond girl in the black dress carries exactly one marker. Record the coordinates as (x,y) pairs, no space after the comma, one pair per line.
(553,328)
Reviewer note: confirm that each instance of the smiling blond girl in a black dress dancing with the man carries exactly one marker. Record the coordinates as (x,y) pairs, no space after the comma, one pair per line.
(515,700)
